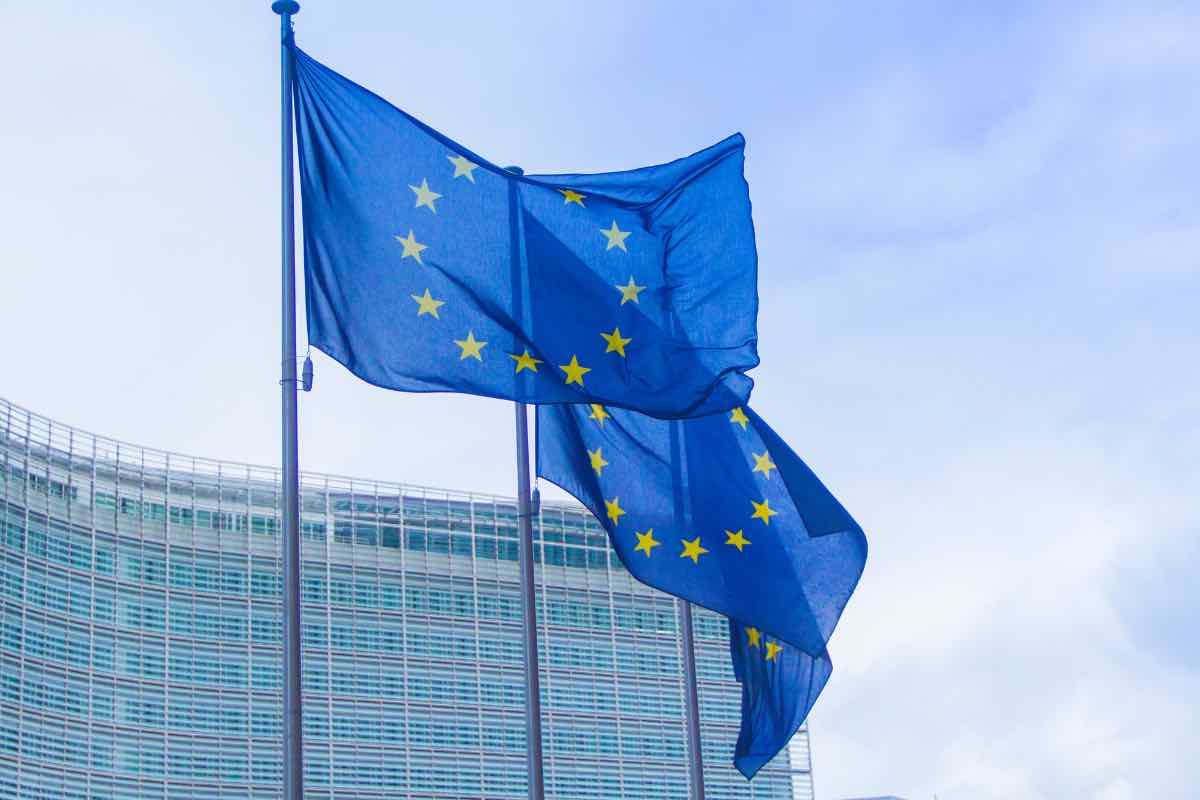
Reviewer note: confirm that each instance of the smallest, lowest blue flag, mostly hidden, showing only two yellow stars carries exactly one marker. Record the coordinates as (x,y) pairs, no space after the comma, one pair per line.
(779,688)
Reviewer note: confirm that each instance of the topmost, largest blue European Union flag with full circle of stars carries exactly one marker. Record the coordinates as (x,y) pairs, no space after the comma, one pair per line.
(430,269)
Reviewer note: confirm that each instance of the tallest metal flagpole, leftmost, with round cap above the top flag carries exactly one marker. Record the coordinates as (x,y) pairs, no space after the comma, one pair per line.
(293,731)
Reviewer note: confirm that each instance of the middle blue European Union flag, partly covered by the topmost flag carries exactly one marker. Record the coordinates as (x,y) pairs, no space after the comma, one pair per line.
(717,510)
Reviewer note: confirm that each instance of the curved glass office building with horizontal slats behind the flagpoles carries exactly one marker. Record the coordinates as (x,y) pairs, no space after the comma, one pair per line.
(140,649)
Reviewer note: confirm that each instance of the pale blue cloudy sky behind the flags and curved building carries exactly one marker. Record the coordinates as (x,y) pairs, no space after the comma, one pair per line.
(980,270)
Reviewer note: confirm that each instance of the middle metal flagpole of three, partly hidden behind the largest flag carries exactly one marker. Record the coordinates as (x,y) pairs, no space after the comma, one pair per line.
(529,606)
